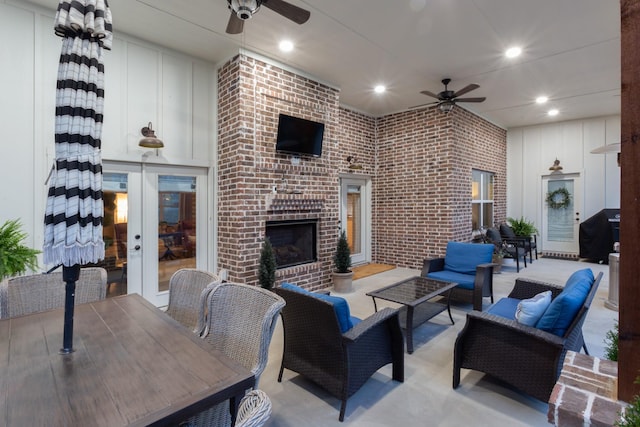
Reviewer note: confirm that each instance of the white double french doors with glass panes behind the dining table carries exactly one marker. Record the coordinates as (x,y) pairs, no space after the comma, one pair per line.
(155,223)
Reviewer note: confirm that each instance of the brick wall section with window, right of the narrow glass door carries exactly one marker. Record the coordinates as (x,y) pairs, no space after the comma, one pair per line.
(422,192)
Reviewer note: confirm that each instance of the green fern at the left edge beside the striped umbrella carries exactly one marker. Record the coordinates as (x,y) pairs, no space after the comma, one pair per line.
(15,257)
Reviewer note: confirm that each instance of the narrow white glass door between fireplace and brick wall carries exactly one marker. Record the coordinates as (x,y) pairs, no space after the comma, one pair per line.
(355,217)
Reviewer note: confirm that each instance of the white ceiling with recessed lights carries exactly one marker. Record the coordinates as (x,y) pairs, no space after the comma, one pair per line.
(571,49)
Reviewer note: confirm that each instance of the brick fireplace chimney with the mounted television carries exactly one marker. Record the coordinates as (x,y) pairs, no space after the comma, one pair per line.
(251,95)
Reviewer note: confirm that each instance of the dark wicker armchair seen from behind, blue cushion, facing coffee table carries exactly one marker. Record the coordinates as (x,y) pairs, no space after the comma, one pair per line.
(341,363)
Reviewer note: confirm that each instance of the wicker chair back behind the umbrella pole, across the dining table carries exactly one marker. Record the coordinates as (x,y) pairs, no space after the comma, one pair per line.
(40,292)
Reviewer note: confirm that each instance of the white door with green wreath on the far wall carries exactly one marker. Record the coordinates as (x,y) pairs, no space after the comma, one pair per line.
(561,212)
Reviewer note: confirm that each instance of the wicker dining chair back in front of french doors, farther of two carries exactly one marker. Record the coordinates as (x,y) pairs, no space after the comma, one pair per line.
(188,290)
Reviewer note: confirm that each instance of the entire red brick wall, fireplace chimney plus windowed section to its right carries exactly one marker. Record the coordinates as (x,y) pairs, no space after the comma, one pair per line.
(419,163)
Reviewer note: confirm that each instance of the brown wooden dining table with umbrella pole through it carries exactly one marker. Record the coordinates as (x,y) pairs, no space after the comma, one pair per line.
(132,365)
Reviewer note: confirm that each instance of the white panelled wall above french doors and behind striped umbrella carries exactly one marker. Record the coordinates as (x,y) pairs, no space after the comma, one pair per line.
(143,83)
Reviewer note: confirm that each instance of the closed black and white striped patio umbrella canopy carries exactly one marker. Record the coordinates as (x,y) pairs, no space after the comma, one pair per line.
(74,211)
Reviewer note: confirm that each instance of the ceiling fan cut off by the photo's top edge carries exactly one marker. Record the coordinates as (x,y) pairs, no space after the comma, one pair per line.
(241,10)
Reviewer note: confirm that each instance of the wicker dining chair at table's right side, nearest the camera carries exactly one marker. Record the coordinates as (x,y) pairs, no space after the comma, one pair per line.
(241,323)
